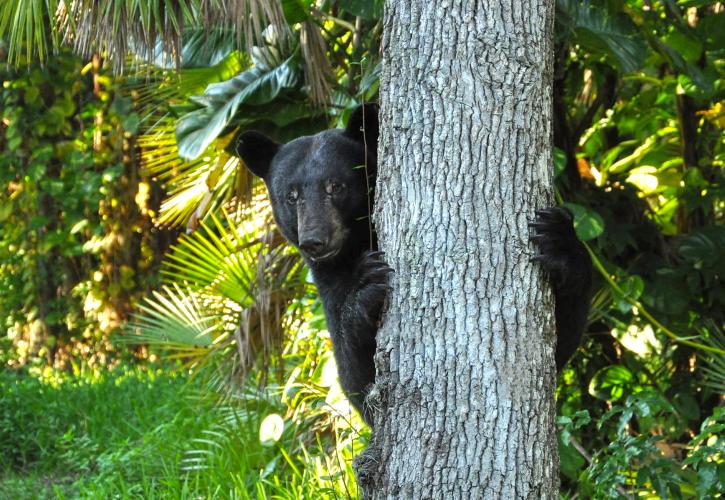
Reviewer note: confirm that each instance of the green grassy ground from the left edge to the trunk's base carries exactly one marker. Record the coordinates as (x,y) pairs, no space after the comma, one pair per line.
(142,433)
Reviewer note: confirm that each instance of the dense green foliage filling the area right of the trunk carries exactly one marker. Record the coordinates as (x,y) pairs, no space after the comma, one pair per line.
(640,92)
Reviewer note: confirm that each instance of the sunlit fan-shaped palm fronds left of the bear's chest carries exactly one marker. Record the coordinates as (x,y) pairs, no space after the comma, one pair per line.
(239,282)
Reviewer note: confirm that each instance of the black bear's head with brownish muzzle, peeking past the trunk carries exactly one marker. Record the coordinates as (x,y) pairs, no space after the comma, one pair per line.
(318,186)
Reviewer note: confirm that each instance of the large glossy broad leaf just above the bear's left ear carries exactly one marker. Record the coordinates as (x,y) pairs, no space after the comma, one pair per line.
(256,86)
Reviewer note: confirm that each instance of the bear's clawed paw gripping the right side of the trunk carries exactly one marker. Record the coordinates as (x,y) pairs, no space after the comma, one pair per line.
(560,252)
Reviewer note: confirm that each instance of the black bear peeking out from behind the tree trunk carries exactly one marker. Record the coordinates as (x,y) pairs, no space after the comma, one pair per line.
(319,186)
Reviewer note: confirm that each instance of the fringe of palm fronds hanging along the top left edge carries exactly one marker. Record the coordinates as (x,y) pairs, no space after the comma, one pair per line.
(36,28)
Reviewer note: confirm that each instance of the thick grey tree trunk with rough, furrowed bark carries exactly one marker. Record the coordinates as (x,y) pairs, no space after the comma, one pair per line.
(464,399)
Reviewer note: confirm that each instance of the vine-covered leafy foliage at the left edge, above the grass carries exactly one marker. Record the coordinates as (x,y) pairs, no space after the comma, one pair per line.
(66,187)
